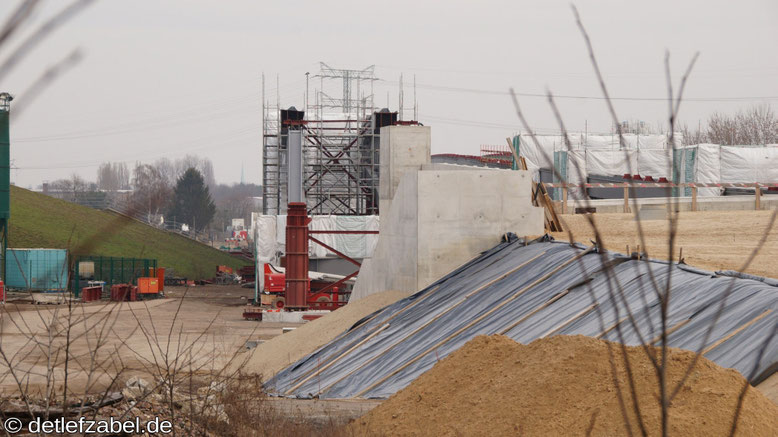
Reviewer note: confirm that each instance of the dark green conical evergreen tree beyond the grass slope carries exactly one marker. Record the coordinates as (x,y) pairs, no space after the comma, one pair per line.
(192,202)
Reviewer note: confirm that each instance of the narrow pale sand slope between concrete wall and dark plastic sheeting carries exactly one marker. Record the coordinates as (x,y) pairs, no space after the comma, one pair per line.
(274,355)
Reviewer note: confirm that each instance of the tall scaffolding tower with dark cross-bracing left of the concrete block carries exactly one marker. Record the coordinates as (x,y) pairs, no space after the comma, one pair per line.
(340,136)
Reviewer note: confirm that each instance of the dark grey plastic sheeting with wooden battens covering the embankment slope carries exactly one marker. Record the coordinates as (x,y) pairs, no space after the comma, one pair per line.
(536,290)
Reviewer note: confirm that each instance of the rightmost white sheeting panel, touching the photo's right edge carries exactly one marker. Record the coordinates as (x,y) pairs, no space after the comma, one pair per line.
(749,164)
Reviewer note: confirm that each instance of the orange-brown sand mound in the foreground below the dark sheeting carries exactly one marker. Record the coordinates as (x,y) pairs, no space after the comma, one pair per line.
(553,387)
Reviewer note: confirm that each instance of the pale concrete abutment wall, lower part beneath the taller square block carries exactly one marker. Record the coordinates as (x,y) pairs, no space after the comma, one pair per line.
(440,219)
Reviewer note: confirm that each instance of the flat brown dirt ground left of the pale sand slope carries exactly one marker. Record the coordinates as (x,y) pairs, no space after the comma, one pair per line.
(199,329)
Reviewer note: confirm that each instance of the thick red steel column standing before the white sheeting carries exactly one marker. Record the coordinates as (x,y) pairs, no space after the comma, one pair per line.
(296,256)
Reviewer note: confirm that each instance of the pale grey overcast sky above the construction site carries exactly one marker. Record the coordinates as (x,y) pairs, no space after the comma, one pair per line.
(167,78)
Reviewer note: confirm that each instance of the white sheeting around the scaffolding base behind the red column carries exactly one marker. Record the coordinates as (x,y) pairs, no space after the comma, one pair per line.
(270,236)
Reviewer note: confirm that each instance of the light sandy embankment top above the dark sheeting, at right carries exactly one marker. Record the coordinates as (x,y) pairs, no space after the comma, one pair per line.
(711,240)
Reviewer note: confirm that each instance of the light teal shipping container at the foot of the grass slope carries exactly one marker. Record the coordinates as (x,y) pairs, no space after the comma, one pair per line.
(37,269)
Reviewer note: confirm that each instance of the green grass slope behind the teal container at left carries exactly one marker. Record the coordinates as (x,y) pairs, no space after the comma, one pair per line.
(42,221)
